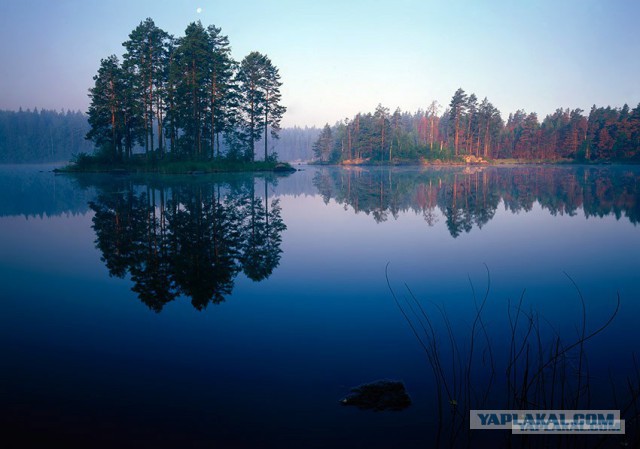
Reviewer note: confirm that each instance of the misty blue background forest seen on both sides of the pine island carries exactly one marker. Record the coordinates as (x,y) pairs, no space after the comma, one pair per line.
(38,136)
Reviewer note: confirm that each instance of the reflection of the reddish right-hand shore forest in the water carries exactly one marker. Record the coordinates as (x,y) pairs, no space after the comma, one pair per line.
(469,197)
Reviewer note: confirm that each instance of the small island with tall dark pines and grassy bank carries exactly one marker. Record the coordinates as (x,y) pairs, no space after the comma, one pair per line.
(182,105)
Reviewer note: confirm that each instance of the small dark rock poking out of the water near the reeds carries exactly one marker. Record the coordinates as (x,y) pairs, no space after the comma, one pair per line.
(380,395)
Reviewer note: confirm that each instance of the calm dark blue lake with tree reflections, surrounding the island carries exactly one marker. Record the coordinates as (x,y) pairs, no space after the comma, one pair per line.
(237,310)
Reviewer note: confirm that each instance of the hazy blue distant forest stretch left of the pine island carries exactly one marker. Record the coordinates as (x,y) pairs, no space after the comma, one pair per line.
(34,136)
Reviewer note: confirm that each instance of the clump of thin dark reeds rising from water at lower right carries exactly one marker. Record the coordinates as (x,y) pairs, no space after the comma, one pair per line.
(539,375)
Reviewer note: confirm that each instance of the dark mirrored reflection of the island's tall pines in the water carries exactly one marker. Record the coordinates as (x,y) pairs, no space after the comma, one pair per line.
(187,239)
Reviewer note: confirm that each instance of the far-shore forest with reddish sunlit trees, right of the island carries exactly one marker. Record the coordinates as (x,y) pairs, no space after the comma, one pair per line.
(469,127)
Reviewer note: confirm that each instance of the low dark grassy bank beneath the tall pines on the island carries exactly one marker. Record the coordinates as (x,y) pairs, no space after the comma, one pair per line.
(91,164)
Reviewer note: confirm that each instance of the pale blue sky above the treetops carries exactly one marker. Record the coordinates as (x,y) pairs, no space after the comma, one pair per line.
(340,57)
